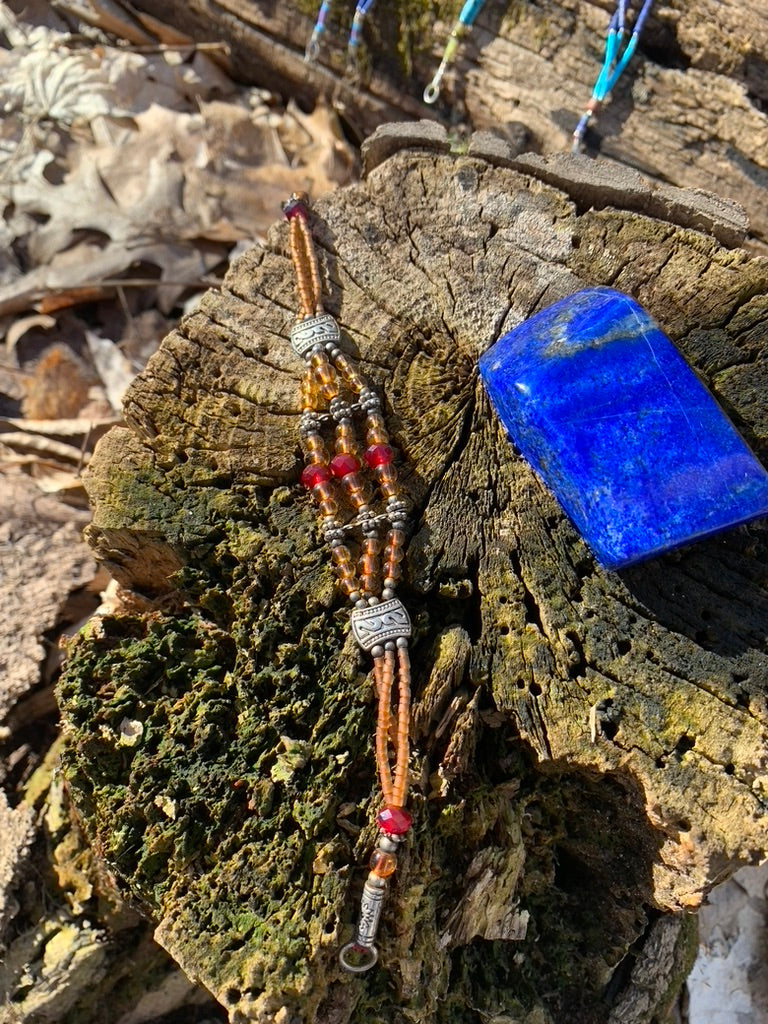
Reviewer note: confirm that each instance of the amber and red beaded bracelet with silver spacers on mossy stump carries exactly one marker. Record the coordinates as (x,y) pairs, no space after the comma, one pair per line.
(334,395)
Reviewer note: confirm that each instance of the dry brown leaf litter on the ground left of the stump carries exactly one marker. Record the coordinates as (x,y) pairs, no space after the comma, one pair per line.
(132,167)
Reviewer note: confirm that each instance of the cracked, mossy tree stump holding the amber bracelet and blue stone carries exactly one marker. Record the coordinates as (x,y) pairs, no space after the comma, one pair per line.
(590,747)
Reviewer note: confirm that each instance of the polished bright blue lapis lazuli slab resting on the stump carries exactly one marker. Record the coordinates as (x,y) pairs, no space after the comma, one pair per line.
(605,408)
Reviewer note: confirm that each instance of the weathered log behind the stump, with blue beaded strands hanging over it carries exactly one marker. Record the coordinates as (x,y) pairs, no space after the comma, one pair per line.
(692,112)
